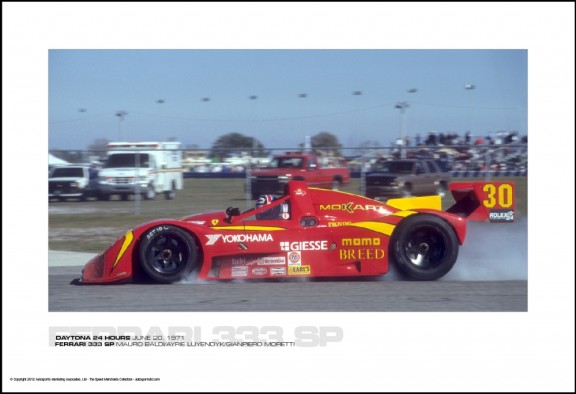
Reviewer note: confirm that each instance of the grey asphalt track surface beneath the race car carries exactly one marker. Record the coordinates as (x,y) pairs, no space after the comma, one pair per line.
(371,295)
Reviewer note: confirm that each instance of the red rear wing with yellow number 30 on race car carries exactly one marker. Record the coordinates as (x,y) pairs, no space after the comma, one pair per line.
(484,201)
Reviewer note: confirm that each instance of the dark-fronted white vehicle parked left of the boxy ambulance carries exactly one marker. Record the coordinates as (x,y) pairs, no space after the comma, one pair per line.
(72,181)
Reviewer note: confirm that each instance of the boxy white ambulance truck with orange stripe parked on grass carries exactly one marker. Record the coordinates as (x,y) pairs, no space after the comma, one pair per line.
(145,168)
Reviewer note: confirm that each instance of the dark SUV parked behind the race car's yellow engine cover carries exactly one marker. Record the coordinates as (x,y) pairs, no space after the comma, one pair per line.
(407,177)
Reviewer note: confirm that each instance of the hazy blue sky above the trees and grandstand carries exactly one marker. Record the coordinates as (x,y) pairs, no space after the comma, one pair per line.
(259,93)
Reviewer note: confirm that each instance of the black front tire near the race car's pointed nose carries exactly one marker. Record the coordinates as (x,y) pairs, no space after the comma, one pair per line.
(168,254)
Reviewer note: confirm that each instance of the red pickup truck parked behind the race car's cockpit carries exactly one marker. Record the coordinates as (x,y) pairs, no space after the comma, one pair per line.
(299,167)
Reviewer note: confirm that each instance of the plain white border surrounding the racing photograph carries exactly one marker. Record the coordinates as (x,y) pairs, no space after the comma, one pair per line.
(531,351)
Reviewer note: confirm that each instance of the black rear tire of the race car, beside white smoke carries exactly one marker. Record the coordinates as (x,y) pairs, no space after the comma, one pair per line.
(424,247)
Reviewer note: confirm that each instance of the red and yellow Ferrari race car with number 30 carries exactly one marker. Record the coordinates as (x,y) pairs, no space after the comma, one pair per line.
(308,232)
